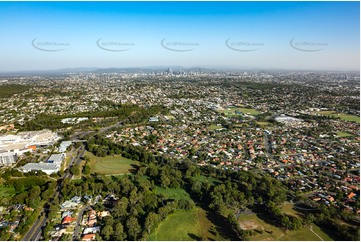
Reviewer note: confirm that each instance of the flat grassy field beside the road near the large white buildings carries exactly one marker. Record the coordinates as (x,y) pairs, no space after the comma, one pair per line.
(110,165)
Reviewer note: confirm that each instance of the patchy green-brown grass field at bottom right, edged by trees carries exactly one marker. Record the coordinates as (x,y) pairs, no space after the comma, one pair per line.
(265,231)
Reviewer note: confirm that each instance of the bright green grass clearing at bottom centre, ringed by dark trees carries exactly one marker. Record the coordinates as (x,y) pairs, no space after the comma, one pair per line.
(185,225)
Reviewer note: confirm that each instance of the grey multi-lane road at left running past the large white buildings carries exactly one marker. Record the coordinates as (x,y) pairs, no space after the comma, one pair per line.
(34,233)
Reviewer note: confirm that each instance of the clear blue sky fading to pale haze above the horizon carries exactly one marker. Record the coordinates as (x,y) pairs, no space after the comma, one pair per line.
(246,35)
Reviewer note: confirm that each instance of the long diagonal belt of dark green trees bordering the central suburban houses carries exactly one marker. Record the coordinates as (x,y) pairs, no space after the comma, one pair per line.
(234,192)
